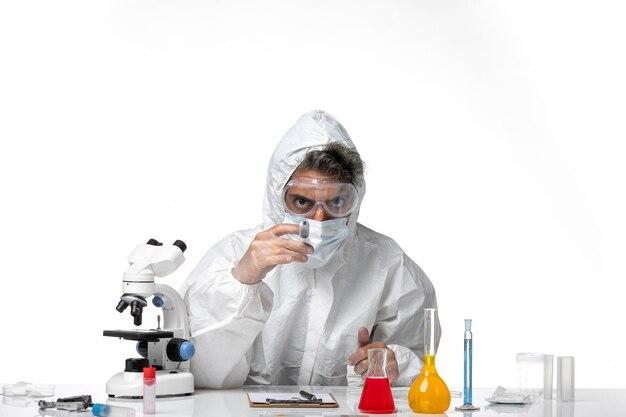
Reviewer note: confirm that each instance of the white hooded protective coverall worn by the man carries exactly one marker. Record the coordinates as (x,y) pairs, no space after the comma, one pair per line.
(298,326)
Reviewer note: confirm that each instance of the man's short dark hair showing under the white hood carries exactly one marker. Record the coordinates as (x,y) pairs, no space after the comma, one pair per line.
(335,159)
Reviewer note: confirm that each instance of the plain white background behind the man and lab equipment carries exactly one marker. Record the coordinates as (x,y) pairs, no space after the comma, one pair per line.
(493,133)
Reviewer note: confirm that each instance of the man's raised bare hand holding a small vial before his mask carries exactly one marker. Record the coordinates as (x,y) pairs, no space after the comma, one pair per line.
(267,250)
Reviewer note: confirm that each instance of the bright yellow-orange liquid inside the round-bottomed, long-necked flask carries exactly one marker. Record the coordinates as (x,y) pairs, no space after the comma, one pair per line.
(429,394)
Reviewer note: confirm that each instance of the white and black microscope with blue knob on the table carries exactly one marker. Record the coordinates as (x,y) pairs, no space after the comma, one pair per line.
(168,349)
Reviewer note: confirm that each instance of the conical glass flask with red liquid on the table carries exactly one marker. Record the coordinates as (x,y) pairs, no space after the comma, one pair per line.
(376,397)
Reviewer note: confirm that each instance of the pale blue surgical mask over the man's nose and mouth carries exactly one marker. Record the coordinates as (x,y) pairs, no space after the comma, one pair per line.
(325,237)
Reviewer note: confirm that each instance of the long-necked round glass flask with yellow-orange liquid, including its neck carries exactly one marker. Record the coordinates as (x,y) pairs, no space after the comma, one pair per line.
(429,394)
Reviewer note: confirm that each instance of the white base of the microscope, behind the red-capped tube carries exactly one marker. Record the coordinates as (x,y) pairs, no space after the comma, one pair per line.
(130,384)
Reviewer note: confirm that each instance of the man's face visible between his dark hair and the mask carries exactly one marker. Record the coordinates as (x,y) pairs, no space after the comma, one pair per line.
(318,196)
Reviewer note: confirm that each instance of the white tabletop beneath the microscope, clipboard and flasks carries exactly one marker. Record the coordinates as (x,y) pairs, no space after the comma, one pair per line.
(226,403)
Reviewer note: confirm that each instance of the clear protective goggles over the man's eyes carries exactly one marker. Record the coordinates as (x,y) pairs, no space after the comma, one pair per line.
(302,197)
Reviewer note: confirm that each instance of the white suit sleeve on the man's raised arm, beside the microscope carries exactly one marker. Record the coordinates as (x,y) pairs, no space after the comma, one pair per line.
(225,316)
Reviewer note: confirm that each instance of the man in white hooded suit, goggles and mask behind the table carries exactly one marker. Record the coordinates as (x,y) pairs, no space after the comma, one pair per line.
(268,307)
